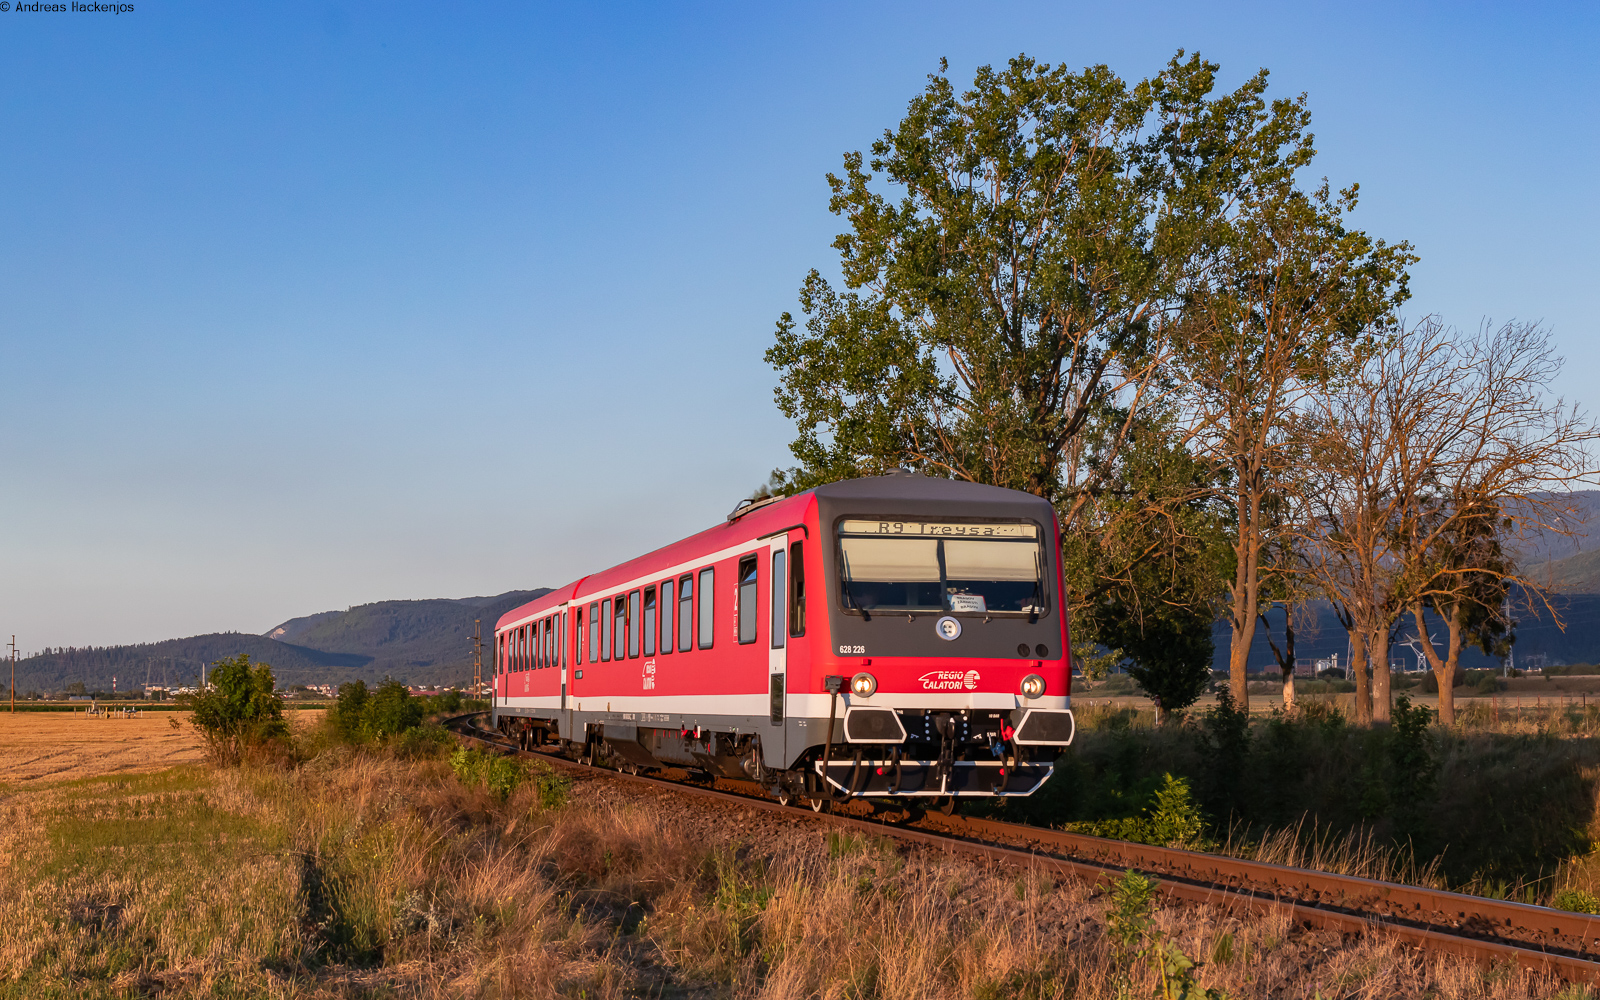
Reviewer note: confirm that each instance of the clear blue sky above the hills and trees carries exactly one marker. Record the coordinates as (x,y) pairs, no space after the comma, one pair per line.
(306,306)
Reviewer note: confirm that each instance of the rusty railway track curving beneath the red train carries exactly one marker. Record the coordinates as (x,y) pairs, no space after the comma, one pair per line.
(1473,927)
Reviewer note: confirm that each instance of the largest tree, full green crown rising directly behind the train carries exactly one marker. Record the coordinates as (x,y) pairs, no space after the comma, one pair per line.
(1015,266)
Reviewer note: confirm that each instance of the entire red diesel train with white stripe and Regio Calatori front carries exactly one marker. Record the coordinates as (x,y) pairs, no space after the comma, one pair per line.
(886,638)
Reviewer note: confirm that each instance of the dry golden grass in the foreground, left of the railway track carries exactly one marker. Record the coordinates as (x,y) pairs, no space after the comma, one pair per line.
(361,876)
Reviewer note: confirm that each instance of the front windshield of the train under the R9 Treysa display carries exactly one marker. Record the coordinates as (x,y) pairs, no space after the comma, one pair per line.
(942,567)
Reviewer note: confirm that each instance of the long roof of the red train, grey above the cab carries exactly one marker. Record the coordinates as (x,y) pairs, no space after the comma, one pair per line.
(906,494)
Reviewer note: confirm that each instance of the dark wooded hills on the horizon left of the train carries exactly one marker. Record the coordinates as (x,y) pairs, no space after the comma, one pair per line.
(414,641)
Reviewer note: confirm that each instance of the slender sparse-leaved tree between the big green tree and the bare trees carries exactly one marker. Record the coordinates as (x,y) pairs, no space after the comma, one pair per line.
(1290,303)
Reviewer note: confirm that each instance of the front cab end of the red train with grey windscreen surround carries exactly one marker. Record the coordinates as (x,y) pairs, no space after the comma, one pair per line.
(940,658)
